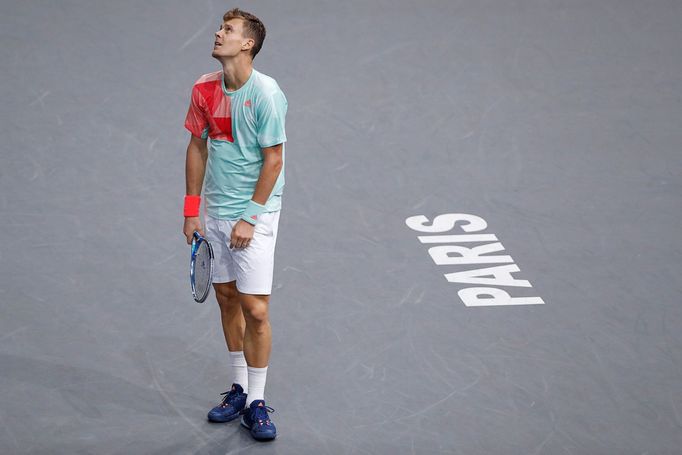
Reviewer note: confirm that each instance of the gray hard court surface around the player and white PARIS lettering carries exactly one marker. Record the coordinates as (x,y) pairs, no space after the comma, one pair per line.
(557,122)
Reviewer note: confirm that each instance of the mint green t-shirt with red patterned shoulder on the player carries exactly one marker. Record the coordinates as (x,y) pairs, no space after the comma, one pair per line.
(238,125)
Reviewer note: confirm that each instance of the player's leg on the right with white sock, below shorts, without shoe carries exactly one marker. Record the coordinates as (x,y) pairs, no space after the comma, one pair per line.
(257,341)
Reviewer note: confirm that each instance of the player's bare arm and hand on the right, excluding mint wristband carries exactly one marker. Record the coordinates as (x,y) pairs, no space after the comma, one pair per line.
(242,233)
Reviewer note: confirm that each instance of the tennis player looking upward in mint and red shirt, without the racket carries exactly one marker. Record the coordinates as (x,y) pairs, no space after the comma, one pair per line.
(236,149)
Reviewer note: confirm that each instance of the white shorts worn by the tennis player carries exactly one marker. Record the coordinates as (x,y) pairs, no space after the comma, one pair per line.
(252,267)
